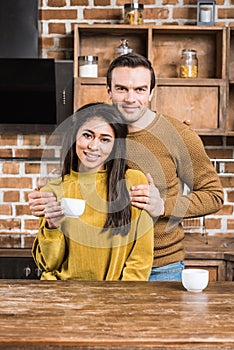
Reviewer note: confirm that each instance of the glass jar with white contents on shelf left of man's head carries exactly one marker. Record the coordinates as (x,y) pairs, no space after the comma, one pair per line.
(88,66)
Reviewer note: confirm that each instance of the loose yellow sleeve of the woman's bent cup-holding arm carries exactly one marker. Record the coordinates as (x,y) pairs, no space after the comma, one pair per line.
(48,248)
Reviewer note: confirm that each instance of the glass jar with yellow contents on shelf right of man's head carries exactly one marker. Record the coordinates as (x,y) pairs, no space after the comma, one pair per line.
(189,64)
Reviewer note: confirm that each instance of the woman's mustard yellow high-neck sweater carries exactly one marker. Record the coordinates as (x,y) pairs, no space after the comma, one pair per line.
(79,250)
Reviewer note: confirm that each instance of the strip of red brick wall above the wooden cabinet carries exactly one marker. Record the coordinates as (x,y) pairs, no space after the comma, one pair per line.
(57,18)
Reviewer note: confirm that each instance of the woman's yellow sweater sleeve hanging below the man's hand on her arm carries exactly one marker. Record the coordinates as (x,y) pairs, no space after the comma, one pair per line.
(139,263)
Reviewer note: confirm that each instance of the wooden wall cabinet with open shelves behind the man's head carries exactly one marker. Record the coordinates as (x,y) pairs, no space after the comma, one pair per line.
(201,101)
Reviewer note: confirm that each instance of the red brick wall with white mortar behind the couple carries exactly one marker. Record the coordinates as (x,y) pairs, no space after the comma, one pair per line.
(21,164)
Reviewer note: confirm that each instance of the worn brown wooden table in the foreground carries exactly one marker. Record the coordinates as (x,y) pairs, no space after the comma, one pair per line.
(115,315)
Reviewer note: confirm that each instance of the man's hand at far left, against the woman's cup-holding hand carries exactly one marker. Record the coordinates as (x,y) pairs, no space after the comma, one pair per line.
(38,200)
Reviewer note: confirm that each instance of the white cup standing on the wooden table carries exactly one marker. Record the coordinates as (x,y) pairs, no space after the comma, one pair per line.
(195,280)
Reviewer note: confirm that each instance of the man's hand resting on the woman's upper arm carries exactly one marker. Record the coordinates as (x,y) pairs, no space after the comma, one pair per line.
(147,197)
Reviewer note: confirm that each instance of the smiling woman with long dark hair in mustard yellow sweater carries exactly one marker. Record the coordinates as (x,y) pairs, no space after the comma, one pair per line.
(111,240)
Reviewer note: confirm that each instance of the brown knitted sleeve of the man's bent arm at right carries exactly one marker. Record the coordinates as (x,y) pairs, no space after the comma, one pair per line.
(197,172)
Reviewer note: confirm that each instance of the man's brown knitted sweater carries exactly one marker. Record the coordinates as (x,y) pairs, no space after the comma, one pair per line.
(174,155)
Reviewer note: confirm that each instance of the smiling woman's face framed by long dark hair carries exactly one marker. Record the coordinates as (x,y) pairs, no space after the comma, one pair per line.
(94,143)
